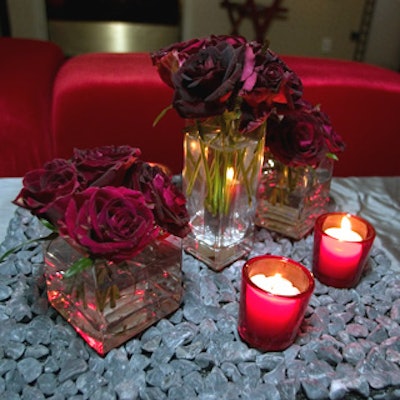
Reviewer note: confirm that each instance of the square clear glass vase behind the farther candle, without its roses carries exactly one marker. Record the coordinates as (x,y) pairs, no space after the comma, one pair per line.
(290,199)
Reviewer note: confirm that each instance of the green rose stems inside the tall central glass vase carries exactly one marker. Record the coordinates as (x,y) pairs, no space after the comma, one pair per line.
(220,150)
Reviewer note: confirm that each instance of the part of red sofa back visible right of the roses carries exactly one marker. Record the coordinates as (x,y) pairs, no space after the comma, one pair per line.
(363,102)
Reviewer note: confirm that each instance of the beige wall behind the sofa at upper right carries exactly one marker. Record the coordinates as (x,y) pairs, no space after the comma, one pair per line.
(320,28)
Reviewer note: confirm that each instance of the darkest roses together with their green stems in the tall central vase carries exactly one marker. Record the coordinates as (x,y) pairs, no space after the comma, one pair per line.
(225,87)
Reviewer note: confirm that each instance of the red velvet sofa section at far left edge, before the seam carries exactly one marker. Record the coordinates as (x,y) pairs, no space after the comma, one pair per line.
(27,71)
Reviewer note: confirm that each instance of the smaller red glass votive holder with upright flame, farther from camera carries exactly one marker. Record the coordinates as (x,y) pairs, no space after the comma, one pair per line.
(342,243)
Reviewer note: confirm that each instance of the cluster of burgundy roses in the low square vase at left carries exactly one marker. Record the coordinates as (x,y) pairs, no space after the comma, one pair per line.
(106,204)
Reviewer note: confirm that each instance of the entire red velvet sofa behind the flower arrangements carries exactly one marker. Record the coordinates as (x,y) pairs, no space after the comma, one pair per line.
(49,105)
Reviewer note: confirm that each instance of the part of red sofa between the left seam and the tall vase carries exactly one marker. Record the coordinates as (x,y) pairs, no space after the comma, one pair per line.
(102,99)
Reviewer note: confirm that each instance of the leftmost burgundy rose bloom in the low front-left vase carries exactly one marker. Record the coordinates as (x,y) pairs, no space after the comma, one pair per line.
(46,190)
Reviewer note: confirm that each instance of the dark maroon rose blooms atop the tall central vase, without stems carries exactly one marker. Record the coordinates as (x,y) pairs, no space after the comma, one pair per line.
(224,73)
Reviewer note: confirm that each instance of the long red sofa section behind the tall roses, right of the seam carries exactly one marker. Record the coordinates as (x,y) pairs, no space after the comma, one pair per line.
(114,98)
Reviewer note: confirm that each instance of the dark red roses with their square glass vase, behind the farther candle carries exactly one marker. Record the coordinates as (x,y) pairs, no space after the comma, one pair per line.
(301,146)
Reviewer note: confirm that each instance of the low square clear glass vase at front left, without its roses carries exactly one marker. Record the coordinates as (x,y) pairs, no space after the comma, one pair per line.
(108,303)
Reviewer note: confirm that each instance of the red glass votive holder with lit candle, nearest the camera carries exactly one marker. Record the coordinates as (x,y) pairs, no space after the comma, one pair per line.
(274,296)
